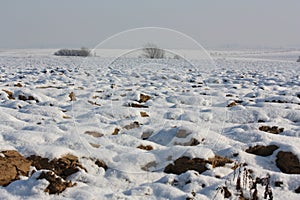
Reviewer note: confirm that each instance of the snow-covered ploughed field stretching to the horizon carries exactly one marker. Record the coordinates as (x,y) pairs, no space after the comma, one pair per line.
(95,109)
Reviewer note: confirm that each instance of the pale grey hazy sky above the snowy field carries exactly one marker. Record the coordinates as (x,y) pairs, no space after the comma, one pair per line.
(223,23)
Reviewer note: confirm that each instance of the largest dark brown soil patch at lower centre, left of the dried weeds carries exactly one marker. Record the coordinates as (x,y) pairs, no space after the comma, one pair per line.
(184,164)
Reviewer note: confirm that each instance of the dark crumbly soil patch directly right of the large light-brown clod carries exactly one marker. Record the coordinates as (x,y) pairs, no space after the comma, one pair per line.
(62,167)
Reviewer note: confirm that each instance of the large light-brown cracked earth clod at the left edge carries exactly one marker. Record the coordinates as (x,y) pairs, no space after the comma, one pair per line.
(12,165)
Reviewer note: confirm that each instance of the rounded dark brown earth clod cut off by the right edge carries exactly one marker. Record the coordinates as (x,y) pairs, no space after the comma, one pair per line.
(288,162)
